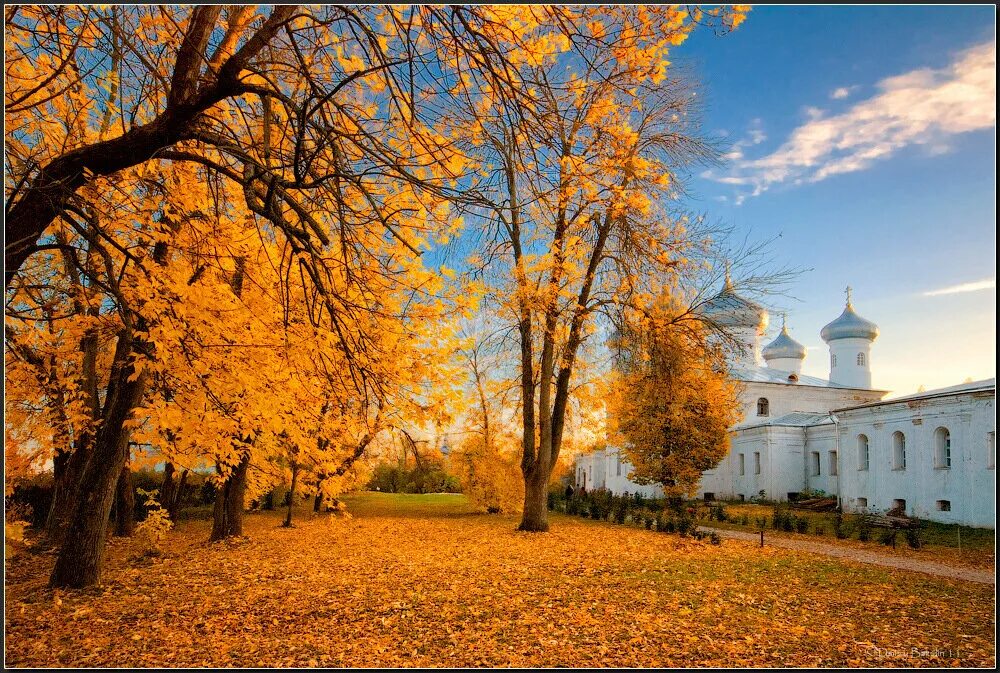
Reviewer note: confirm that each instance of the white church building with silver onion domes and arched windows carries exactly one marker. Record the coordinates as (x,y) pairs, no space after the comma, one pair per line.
(931,454)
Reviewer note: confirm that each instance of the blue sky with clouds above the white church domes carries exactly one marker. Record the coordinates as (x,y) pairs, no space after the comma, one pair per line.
(866,138)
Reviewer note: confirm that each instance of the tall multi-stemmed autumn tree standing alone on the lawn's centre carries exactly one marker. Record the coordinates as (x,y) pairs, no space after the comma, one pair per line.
(576,194)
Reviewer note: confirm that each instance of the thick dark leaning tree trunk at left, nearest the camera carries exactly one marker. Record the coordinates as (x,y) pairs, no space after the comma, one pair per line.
(82,553)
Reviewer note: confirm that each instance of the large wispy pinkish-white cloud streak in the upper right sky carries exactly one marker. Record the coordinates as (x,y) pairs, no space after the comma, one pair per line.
(923,107)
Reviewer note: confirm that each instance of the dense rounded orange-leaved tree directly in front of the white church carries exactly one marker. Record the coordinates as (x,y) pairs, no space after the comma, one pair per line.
(673,401)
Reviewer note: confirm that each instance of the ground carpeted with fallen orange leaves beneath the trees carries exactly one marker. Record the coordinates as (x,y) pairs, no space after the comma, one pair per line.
(421,581)
